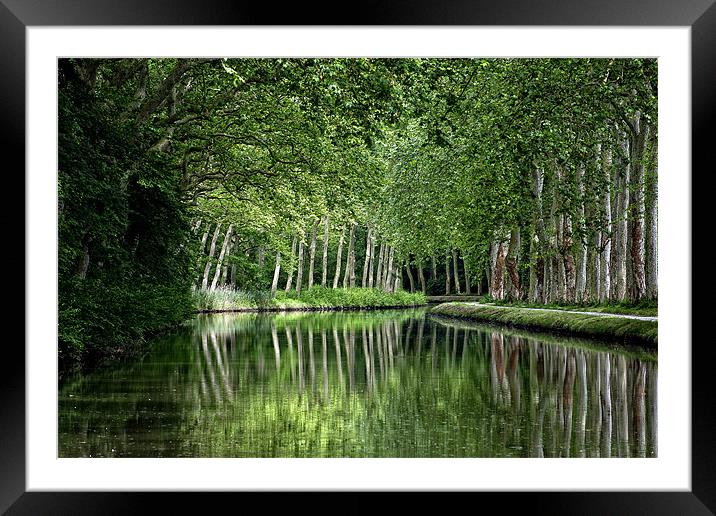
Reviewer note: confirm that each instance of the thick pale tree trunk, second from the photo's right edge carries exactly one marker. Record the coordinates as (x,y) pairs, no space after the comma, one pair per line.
(637,286)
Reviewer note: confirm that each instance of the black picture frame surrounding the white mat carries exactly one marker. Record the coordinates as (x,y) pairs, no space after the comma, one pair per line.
(17,15)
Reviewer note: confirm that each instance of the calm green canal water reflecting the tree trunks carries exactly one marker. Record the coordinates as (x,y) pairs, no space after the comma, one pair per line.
(363,384)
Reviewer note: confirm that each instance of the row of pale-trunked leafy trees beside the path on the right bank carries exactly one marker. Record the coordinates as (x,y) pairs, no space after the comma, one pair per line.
(542,173)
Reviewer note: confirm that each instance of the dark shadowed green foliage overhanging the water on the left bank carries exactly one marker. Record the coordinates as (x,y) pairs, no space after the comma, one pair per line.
(123,267)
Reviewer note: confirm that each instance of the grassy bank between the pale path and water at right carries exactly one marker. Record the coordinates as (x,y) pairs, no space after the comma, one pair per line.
(626,331)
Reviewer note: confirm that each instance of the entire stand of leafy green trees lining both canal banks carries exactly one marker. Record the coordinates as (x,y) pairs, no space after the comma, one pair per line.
(528,179)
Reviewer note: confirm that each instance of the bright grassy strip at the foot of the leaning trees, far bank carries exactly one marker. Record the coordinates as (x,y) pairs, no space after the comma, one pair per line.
(311,299)
